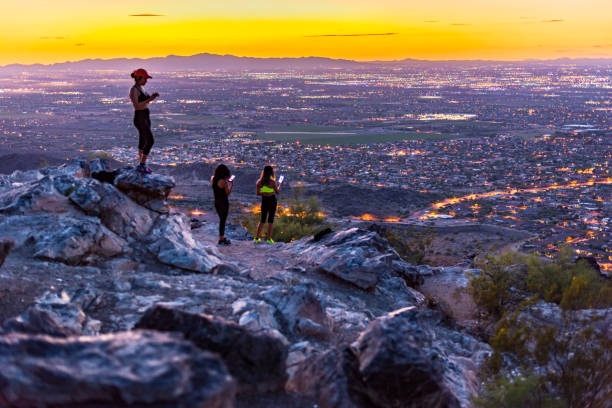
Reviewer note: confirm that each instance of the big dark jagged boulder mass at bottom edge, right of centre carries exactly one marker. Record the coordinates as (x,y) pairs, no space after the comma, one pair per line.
(403,359)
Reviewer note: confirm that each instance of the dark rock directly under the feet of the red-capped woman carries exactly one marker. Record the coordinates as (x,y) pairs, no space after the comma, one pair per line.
(148,190)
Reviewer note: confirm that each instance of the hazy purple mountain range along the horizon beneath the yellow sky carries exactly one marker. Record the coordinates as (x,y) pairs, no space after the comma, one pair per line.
(215,62)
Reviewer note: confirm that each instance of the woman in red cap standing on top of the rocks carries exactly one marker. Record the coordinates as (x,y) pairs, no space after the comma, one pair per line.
(142,121)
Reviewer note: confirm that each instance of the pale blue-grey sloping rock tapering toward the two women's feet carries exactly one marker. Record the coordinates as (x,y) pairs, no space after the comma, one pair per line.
(171,242)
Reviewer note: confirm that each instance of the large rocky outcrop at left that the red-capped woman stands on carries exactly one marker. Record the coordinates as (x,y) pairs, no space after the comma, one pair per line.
(59,214)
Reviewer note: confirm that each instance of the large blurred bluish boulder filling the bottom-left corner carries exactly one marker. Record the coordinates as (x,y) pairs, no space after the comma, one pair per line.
(130,369)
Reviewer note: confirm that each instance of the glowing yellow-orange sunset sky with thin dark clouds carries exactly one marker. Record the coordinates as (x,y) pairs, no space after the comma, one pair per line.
(60,30)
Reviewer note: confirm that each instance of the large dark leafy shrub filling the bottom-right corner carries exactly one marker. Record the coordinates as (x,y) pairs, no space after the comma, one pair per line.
(574,359)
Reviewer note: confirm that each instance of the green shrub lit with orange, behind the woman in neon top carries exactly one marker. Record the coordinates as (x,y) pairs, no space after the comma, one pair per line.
(298,218)
